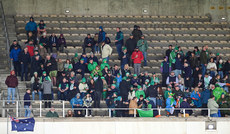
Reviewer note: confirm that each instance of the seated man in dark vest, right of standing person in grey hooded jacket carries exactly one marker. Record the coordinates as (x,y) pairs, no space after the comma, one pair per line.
(63,90)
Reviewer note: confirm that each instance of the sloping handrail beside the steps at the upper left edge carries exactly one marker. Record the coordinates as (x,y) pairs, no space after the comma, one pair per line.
(6,34)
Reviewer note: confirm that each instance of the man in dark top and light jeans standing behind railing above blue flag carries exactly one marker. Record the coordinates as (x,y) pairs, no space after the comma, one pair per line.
(27,104)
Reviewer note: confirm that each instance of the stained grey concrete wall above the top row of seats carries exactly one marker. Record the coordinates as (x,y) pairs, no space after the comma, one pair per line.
(217,8)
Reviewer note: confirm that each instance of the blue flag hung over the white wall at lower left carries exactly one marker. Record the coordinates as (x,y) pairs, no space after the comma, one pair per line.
(22,125)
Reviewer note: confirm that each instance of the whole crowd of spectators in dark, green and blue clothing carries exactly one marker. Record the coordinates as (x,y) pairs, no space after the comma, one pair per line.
(195,79)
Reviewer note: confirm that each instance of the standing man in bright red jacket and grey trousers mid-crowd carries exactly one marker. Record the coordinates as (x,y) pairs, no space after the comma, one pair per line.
(137,57)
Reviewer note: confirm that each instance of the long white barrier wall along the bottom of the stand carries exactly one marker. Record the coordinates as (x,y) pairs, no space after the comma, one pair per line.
(122,126)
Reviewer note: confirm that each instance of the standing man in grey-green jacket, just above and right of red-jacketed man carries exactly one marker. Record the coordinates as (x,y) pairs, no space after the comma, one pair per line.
(143,46)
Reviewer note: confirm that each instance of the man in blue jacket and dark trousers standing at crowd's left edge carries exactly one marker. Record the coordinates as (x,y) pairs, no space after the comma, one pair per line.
(14,57)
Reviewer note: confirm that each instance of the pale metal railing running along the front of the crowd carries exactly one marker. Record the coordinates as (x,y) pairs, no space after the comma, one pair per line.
(109,111)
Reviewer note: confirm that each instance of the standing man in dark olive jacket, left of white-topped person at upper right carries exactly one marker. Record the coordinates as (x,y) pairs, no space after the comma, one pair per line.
(203,60)
